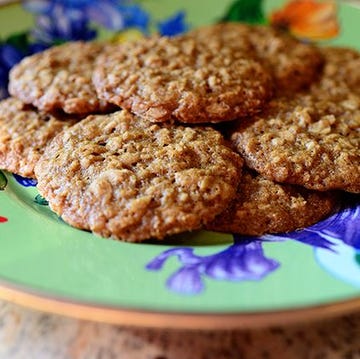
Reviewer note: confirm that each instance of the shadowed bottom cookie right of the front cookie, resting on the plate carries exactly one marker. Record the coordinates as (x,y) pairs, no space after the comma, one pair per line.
(263,206)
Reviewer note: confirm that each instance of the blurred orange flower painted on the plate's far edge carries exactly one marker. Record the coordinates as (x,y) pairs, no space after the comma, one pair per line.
(308,19)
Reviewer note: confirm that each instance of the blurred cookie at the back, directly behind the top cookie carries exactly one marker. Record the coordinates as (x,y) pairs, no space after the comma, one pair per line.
(294,65)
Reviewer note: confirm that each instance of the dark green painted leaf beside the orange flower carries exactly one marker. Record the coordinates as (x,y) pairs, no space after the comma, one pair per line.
(249,11)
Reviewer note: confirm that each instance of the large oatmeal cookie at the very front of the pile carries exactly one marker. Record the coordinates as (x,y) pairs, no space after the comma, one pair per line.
(123,177)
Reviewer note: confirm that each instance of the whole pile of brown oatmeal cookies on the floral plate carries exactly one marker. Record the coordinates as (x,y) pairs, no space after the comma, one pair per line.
(232,128)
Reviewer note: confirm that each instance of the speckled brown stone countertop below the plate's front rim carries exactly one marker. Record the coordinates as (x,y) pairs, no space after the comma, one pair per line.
(26,334)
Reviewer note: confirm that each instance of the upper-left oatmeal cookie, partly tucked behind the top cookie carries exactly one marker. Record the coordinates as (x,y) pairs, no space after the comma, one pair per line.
(59,78)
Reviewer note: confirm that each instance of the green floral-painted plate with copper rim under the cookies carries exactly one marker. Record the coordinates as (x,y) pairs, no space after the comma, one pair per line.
(197,280)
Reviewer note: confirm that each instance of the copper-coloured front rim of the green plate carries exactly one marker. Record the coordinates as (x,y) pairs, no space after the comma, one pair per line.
(117,315)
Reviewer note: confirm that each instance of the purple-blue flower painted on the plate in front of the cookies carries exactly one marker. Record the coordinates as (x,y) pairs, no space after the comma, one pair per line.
(245,259)
